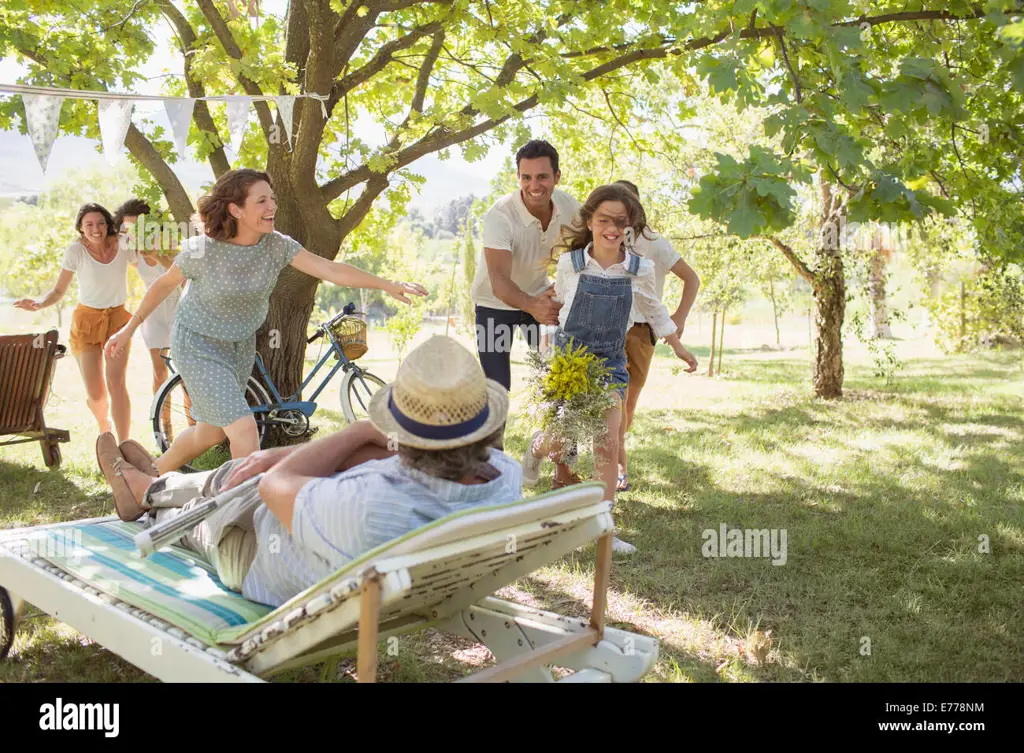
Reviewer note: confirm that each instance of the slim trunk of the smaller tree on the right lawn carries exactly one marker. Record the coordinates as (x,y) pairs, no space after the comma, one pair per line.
(830,299)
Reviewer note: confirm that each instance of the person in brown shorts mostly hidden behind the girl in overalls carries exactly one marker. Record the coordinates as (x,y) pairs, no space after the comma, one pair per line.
(641,340)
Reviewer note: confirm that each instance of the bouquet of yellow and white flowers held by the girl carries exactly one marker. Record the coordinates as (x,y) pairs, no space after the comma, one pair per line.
(571,393)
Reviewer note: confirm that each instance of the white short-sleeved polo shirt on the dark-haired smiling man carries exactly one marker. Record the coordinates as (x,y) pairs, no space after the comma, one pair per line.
(509,226)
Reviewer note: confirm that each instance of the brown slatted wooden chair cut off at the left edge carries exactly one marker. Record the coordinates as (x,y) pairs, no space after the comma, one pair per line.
(27,365)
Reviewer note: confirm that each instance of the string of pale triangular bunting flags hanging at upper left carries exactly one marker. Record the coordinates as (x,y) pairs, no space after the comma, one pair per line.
(42,113)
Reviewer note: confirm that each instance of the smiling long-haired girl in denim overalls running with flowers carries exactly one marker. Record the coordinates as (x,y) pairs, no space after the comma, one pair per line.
(599,280)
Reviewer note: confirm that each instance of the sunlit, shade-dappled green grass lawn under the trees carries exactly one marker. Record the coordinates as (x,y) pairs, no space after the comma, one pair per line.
(886,499)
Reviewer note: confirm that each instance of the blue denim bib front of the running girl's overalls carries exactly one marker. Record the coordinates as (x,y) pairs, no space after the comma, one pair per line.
(601,315)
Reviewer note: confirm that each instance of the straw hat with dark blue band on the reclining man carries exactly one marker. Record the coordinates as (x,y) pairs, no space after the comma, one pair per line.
(440,399)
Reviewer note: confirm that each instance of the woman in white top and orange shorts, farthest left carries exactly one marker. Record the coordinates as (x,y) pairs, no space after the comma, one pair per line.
(103,289)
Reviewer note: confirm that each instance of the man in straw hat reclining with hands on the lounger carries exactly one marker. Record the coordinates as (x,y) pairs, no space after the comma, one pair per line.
(322,505)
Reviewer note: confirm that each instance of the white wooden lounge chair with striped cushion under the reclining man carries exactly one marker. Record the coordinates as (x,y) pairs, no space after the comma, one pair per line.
(169,615)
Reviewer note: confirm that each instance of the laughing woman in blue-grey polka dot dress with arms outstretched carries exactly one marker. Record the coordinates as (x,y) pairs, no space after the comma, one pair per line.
(232,272)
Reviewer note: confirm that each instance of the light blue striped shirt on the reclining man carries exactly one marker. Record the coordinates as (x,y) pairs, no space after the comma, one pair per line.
(338,519)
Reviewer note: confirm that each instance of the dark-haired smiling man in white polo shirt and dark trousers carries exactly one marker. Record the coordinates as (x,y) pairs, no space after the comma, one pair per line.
(511,289)
